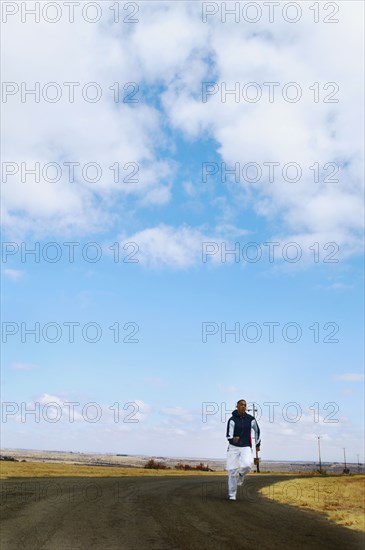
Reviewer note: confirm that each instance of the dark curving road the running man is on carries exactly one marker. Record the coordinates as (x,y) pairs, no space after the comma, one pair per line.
(162,513)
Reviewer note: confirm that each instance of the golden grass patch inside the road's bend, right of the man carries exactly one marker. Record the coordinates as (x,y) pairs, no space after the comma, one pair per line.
(341,498)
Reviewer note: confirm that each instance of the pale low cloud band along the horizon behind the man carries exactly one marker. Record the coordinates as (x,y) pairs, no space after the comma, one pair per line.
(290,433)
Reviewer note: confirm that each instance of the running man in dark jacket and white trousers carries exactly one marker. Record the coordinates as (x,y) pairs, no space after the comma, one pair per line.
(239,452)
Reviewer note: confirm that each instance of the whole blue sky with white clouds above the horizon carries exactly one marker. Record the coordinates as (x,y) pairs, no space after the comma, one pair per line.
(182,212)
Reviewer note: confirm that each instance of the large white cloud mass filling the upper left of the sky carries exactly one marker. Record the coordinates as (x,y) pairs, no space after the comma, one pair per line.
(104,132)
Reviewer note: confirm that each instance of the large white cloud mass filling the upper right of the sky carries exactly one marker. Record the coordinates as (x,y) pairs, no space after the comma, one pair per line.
(305,132)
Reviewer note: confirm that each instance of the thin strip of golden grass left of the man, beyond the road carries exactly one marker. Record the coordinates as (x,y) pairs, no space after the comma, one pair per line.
(46,469)
